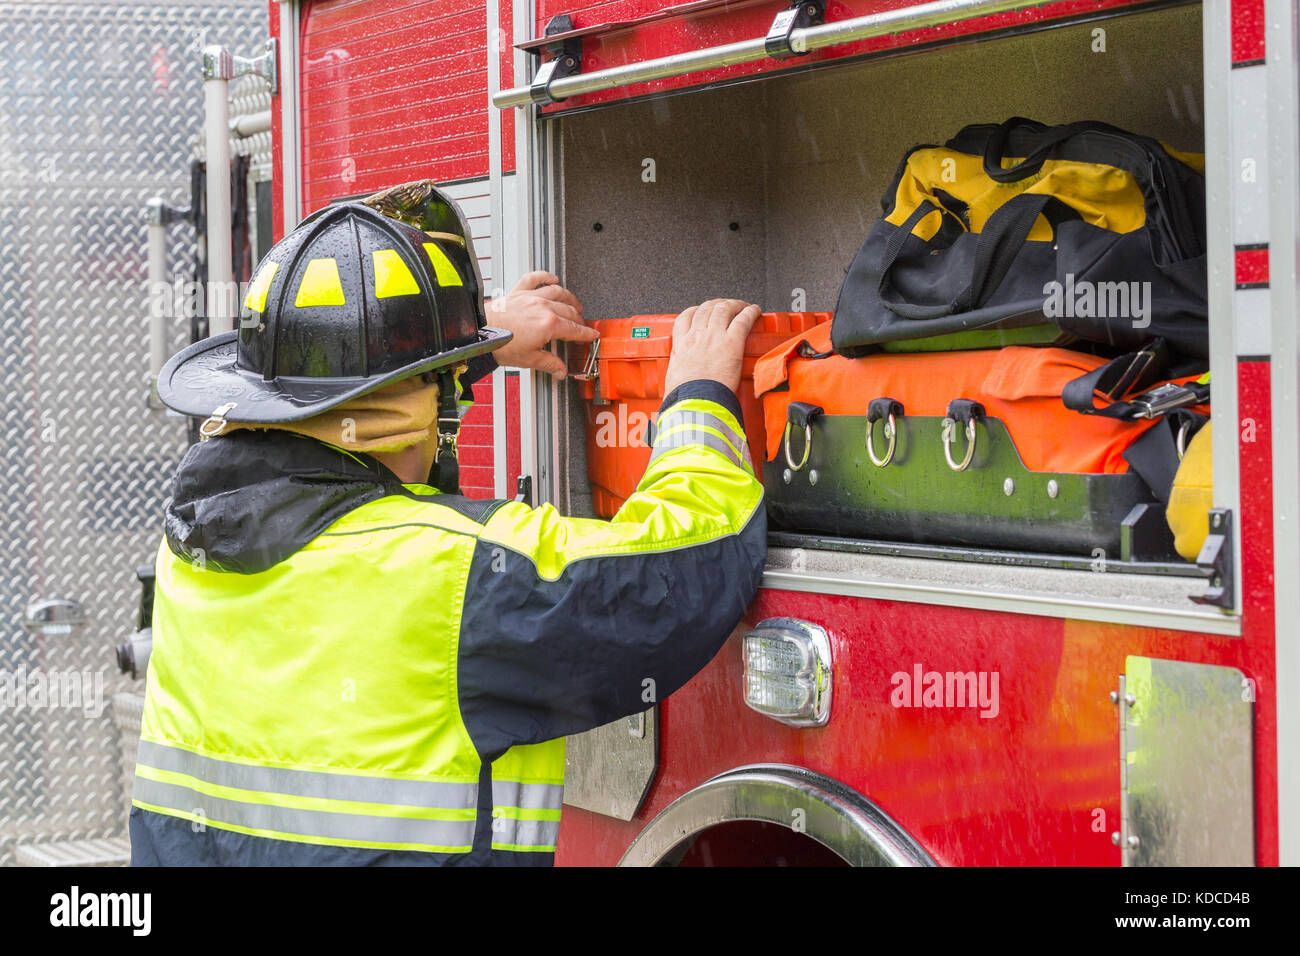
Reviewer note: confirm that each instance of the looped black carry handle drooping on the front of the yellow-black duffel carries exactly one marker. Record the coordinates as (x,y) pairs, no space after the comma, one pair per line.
(1002,240)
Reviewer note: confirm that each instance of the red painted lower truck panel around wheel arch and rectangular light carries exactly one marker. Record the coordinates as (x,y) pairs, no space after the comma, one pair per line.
(1035,785)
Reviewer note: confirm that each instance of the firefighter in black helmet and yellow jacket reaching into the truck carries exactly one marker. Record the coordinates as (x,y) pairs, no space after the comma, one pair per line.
(353,663)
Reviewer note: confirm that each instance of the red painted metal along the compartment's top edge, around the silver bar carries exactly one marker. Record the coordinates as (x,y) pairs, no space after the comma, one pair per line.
(746,23)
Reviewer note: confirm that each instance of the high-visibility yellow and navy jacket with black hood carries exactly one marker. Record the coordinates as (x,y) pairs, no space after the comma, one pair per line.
(352,671)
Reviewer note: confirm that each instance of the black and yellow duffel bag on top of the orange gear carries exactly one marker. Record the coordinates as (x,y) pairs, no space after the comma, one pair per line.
(1093,232)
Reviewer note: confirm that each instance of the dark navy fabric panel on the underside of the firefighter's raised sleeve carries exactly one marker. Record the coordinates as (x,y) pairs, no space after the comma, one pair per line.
(609,638)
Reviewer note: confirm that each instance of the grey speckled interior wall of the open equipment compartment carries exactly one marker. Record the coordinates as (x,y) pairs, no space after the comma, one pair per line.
(765,191)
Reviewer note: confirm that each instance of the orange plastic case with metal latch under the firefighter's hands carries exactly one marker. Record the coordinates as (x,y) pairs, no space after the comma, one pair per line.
(632,367)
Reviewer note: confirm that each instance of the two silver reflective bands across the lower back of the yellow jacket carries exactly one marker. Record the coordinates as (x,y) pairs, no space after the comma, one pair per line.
(261,812)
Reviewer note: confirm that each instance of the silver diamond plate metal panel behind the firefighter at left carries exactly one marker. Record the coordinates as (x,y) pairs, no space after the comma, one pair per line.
(99,105)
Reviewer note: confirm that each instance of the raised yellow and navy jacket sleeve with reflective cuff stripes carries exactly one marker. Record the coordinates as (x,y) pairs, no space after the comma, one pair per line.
(570,624)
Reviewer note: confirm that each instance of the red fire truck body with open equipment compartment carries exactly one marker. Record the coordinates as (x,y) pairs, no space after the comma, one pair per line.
(1110,711)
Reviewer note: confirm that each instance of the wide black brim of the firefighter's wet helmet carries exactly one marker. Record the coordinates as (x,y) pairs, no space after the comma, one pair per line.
(205,378)
